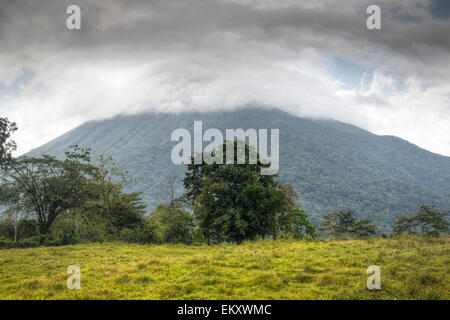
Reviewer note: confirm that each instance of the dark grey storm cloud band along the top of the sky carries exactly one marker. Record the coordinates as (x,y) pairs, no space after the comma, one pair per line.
(146,24)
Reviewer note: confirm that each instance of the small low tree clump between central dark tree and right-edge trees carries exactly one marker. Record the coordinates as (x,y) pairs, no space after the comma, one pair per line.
(343,225)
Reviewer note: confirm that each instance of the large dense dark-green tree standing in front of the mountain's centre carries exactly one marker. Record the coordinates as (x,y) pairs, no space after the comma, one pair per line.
(234,202)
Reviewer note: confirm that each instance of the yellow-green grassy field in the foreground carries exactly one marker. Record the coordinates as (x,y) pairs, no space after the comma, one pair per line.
(411,268)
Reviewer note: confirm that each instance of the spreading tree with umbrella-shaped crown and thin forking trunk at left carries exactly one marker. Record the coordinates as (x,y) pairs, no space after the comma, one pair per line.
(48,186)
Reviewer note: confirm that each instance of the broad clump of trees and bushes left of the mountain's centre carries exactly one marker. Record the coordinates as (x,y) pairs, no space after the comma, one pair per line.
(71,200)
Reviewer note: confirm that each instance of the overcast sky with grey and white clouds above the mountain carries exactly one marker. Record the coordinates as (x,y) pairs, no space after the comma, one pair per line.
(311,58)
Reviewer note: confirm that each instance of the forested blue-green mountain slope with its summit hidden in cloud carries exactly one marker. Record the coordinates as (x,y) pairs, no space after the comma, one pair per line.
(331,165)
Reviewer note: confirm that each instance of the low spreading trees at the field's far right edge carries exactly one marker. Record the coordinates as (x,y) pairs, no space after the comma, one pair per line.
(429,222)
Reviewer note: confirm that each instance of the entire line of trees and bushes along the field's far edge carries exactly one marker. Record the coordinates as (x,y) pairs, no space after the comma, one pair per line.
(45,200)
